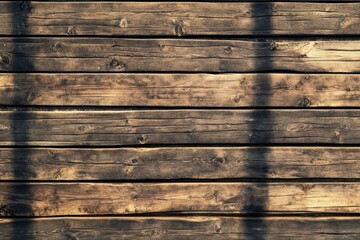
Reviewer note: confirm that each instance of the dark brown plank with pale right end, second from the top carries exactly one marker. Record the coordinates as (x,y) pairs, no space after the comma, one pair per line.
(164,55)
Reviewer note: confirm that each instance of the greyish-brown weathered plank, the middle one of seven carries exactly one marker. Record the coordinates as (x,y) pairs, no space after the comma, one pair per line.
(141,127)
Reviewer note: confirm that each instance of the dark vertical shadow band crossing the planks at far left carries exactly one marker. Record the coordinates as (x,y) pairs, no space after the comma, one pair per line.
(21,170)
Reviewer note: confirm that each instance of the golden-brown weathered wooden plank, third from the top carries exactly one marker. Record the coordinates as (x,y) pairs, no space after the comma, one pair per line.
(225,90)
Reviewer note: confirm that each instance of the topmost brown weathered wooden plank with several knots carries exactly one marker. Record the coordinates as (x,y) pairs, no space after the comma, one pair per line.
(178,18)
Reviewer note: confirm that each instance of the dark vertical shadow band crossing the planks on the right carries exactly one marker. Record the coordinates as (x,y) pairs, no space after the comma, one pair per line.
(259,132)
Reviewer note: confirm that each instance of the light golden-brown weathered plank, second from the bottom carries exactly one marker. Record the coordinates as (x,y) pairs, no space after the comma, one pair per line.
(54,199)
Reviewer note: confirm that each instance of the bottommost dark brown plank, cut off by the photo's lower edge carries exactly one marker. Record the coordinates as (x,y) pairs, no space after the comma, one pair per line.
(269,228)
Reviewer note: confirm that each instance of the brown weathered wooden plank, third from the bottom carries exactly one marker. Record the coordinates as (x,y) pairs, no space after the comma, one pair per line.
(179,163)
